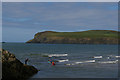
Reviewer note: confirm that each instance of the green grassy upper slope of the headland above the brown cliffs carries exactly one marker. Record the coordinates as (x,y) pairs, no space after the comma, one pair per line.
(84,34)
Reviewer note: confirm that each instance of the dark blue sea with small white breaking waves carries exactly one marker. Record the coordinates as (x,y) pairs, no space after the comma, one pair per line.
(72,60)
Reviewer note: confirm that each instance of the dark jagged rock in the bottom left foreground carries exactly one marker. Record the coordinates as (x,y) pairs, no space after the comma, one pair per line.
(12,68)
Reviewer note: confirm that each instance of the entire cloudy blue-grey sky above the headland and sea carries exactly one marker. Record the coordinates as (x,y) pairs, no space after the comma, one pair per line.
(21,20)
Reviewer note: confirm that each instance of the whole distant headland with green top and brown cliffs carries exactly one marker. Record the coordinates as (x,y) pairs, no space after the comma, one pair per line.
(84,37)
